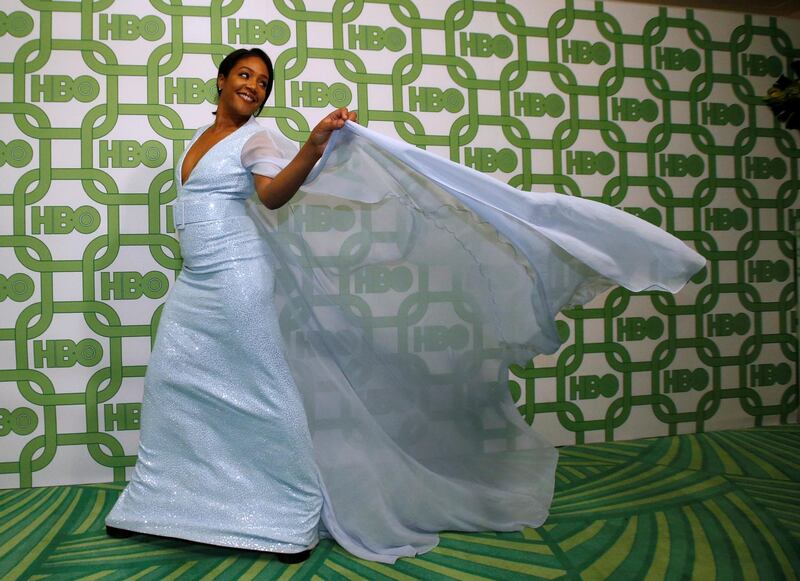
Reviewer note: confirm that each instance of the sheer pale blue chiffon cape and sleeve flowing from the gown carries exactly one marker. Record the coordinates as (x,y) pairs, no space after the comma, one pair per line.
(406,285)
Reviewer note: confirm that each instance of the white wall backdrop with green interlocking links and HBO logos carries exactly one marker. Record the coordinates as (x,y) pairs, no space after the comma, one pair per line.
(655,111)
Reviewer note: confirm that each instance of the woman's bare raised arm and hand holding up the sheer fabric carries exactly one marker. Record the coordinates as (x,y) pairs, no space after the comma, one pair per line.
(275,192)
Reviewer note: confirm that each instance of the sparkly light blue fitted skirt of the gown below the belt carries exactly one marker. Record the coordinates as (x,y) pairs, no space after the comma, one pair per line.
(225,455)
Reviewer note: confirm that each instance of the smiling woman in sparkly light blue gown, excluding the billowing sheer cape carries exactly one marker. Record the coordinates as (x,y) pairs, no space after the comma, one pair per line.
(219,343)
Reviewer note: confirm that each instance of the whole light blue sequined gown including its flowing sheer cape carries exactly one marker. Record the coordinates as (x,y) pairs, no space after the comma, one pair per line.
(339,367)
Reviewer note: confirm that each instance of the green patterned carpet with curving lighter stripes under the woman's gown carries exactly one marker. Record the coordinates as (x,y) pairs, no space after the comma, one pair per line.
(723,505)
